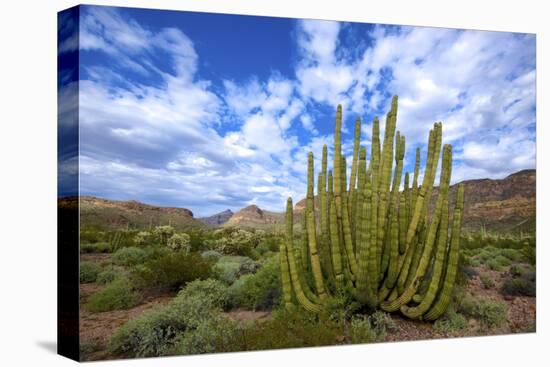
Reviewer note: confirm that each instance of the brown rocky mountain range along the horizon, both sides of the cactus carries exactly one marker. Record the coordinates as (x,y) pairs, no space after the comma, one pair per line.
(505,205)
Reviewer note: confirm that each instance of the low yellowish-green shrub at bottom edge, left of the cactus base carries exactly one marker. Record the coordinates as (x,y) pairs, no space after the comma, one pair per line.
(291,330)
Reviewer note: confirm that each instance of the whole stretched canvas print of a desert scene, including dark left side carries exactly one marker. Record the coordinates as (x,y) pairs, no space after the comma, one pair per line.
(237,183)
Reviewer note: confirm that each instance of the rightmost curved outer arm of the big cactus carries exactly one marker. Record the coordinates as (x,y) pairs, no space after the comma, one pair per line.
(439,307)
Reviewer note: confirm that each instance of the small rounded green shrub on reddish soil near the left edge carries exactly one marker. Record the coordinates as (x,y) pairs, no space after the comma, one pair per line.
(117,295)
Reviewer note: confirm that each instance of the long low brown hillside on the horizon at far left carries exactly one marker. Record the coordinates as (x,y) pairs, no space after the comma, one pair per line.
(121,214)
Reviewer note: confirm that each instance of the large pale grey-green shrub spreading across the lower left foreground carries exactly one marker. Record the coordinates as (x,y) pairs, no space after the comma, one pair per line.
(162,331)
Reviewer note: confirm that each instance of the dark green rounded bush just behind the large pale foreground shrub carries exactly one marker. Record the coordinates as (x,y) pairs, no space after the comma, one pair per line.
(171,271)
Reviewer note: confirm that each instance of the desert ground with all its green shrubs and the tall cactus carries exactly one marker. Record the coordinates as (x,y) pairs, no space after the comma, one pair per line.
(368,260)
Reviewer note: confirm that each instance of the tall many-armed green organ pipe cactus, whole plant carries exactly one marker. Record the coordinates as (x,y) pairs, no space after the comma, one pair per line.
(370,236)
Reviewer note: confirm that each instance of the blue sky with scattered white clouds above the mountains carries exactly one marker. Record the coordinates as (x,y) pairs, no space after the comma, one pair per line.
(212,111)
